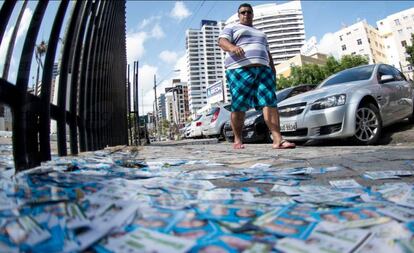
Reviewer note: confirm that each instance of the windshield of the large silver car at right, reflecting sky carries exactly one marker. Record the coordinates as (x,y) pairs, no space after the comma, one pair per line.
(350,75)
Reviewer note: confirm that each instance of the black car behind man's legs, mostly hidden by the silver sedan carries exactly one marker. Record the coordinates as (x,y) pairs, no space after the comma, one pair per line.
(255,128)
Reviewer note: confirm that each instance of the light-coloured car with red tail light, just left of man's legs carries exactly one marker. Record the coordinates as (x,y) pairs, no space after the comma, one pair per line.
(218,115)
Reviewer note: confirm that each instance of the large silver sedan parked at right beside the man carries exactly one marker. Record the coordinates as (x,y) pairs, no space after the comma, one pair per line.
(356,103)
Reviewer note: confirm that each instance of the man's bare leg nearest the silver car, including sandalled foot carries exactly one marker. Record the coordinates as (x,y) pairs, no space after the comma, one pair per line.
(271,117)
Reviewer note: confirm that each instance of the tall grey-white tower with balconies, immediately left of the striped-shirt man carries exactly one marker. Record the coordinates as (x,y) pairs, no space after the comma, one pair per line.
(205,63)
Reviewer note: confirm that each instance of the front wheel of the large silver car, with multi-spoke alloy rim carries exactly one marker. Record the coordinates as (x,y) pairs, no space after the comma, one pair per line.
(368,125)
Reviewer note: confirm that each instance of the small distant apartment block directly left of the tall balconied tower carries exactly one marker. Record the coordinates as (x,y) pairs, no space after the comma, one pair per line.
(179,105)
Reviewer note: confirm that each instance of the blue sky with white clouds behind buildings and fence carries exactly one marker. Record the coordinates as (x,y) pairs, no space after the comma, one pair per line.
(156,32)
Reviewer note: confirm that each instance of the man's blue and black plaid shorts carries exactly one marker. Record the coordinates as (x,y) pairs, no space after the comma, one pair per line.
(251,87)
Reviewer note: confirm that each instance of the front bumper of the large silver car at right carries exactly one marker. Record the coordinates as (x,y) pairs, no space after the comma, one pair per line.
(335,122)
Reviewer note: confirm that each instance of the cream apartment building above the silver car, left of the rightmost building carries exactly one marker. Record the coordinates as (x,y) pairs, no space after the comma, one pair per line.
(361,39)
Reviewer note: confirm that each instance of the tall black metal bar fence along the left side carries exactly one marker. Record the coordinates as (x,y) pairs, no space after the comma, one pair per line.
(91,93)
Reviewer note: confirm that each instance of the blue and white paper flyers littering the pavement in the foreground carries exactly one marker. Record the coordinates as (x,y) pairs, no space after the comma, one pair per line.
(115,202)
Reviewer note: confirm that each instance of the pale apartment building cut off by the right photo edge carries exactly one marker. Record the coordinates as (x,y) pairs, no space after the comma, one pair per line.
(396,30)
